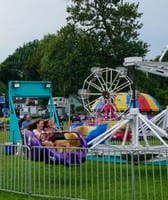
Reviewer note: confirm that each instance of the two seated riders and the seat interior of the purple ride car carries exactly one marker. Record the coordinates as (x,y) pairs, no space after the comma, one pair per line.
(48,135)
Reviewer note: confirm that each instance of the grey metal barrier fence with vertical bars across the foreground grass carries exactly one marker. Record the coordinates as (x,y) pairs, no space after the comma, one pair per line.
(105,174)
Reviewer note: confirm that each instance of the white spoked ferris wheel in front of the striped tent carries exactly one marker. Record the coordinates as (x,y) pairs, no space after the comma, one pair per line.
(101,89)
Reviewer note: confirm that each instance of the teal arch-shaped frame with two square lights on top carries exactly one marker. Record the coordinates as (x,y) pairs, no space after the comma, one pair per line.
(25,89)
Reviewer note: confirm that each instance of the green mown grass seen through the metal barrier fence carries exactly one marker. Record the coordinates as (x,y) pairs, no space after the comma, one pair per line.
(91,180)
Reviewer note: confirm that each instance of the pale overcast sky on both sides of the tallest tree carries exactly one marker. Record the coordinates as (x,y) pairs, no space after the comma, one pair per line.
(22,21)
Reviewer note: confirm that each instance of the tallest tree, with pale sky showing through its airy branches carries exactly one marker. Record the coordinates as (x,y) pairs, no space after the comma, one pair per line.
(113,24)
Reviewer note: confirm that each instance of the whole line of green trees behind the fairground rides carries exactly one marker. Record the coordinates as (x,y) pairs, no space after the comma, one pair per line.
(98,33)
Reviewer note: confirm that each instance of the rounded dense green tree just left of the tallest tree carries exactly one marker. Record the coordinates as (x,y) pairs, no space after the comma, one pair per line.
(67,58)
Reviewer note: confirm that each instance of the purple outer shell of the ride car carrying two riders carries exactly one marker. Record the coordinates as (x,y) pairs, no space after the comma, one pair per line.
(49,155)
